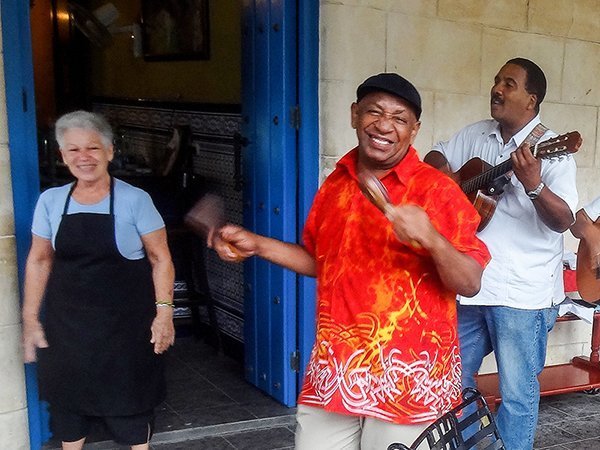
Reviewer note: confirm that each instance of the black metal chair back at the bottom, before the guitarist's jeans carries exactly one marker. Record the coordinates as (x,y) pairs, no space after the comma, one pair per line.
(449,432)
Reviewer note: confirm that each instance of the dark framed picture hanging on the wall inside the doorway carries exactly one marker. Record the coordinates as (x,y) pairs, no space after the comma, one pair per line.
(175,30)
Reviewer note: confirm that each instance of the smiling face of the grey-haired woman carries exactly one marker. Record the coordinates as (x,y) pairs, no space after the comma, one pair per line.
(85,154)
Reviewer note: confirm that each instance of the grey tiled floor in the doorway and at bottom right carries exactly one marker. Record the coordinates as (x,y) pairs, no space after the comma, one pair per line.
(210,407)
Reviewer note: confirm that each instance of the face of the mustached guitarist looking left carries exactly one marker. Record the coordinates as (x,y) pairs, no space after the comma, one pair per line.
(510,103)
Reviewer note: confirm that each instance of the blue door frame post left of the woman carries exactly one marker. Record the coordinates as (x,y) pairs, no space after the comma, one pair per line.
(20,103)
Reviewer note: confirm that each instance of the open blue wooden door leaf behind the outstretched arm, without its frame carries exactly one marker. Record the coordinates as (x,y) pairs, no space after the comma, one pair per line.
(270,190)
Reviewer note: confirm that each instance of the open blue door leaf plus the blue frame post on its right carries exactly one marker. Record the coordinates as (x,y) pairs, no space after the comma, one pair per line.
(279,183)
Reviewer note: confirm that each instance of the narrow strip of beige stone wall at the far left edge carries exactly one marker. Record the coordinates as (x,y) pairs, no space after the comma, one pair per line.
(13,406)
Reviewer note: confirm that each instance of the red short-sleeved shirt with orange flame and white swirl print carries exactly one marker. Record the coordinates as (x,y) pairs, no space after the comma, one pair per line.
(387,344)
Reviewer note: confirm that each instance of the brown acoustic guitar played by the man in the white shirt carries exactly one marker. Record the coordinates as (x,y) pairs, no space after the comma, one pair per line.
(483,183)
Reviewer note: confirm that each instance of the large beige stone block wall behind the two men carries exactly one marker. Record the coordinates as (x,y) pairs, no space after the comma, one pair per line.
(451,50)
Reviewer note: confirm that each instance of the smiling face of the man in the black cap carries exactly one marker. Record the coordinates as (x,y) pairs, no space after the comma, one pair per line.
(386,126)
